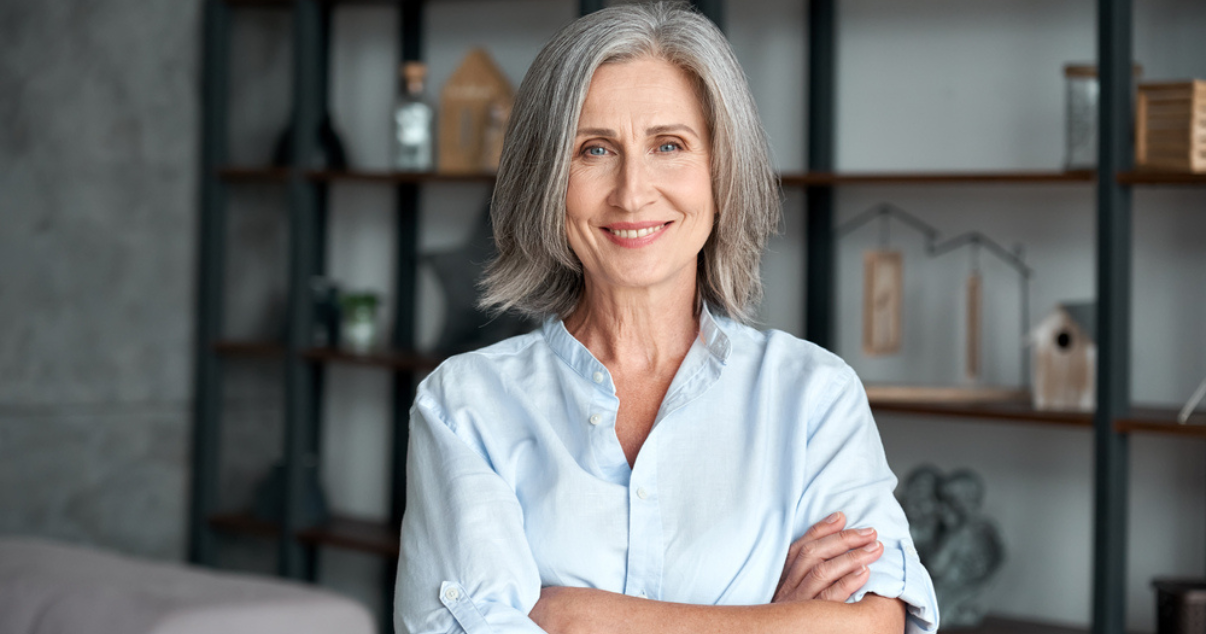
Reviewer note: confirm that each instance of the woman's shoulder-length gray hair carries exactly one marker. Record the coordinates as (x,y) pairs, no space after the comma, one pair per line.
(536,273)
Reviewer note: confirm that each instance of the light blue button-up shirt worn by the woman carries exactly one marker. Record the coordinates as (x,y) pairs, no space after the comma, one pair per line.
(517,480)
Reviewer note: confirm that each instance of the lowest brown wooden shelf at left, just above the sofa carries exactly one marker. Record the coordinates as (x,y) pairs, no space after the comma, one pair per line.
(378,538)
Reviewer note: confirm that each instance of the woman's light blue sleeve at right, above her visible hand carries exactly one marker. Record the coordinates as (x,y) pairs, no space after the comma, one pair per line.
(847,472)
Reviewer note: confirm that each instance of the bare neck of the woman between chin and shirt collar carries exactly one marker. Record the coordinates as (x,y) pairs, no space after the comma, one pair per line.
(637,328)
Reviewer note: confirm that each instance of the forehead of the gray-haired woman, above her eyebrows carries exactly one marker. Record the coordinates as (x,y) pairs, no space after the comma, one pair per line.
(643,89)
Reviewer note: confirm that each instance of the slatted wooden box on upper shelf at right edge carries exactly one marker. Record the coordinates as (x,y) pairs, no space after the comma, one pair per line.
(1170,127)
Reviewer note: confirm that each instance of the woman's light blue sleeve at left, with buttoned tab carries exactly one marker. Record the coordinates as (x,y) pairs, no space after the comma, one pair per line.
(466,565)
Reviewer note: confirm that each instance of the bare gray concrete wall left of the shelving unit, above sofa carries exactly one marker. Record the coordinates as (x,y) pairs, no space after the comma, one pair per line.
(98,177)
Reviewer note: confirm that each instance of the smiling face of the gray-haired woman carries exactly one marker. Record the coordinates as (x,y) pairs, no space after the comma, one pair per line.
(640,206)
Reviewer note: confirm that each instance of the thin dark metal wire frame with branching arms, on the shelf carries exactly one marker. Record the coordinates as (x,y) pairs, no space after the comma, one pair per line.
(936,248)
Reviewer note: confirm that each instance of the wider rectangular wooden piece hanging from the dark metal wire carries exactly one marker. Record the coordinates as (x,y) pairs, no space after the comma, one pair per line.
(882,303)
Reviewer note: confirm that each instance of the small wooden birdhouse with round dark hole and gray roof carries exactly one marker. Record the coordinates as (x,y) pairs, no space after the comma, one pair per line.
(1066,359)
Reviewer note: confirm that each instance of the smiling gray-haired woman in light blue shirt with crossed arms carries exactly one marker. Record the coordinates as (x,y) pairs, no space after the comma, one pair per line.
(646,462)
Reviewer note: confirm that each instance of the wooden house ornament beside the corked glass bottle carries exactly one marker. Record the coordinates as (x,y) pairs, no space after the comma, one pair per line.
(472,103)
